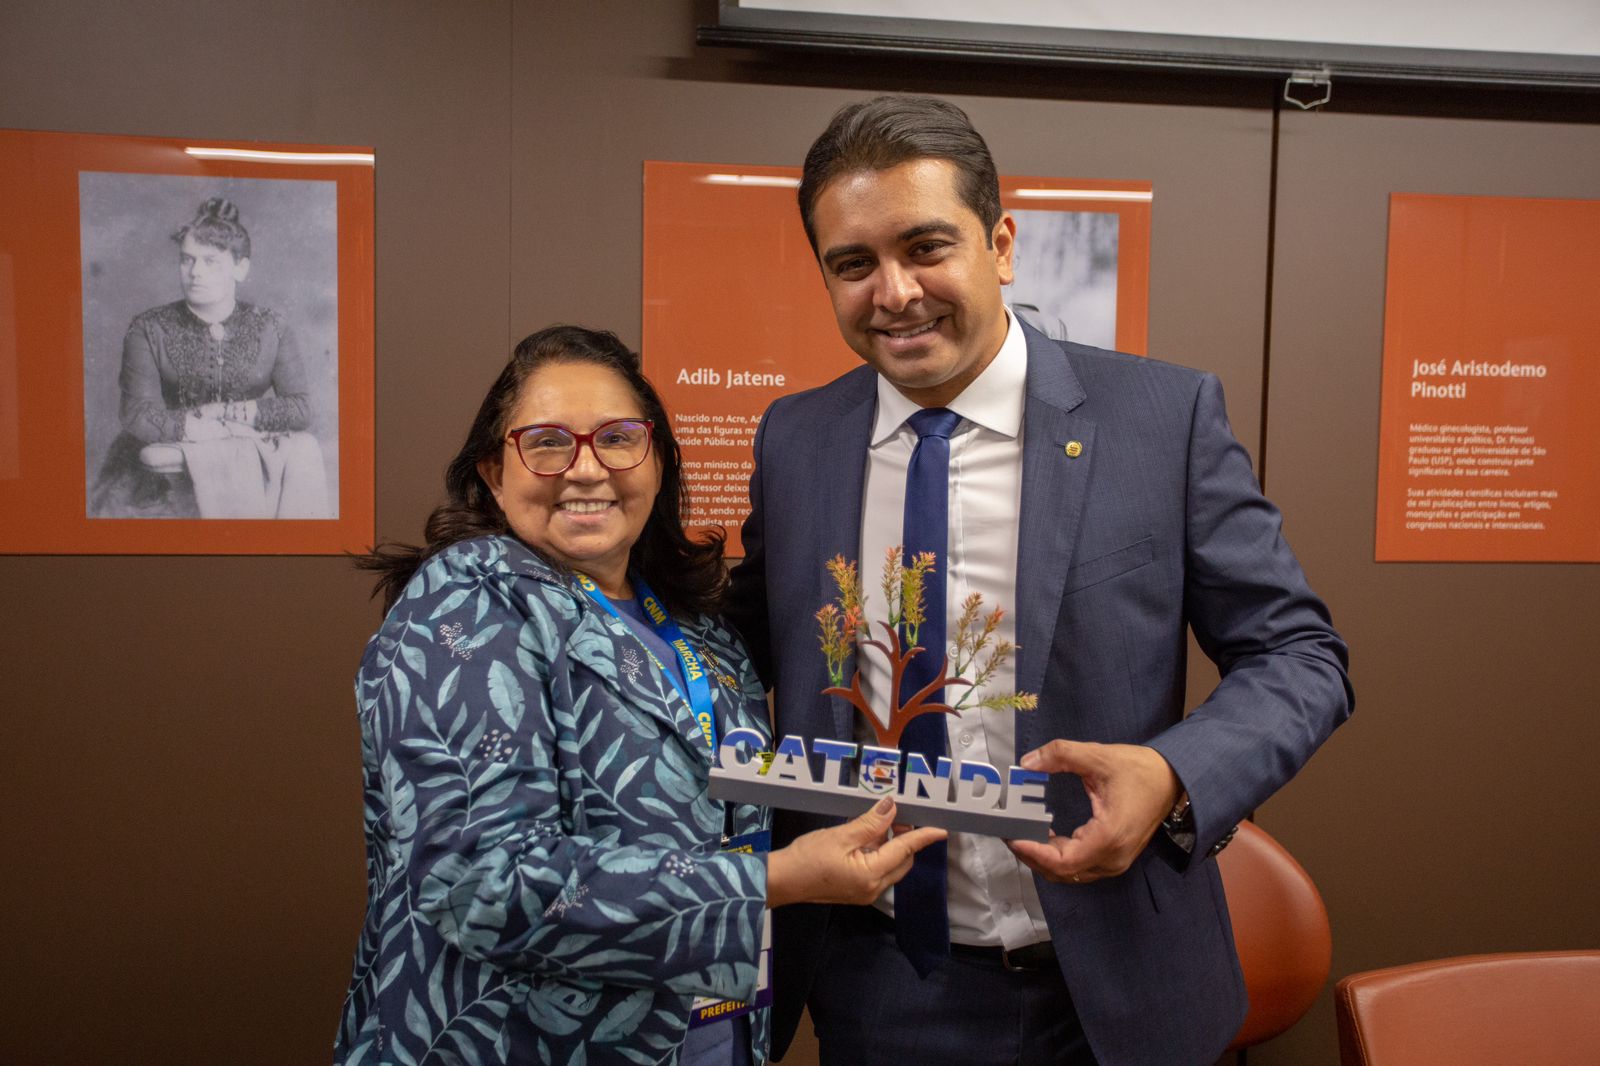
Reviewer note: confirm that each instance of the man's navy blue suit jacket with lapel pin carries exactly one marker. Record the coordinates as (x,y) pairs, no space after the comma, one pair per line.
(1158,526)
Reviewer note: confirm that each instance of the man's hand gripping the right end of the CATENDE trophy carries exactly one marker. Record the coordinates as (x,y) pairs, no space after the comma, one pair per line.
(1132,788)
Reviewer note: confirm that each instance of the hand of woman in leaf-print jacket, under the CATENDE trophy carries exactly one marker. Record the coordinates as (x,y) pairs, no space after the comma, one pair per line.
(850,864)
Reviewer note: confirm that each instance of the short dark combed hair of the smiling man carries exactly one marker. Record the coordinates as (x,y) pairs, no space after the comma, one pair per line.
(890,130)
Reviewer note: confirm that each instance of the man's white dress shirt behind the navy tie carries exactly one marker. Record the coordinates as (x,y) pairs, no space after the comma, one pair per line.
(991,896)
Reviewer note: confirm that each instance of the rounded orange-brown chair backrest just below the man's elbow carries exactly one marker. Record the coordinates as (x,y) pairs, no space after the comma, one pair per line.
(1281,931)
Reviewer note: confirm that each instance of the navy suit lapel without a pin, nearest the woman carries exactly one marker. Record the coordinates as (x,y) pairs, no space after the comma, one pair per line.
(839,476)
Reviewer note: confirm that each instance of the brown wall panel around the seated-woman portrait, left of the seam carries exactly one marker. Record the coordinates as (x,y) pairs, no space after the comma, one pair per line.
(185,875)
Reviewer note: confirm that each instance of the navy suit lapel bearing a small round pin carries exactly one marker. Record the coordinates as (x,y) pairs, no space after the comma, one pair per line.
(1054,494)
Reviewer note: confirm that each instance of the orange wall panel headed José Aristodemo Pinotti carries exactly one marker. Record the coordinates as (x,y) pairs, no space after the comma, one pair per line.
(1486,438)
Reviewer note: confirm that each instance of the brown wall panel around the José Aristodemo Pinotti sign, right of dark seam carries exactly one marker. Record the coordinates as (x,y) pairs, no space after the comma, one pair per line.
(1450,817)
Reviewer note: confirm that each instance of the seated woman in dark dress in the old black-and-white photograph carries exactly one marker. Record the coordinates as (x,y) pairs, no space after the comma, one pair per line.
(215,403)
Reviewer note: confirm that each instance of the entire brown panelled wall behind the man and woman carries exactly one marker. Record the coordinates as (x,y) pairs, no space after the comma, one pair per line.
(182,771)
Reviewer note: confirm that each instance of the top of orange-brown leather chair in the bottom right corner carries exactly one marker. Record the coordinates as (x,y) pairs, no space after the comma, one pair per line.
(1532,1009)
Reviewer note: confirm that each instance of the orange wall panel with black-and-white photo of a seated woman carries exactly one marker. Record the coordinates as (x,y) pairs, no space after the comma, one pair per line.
(186,347)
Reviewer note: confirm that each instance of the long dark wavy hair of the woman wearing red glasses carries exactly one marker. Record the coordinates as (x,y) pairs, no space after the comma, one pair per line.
(687,574)
